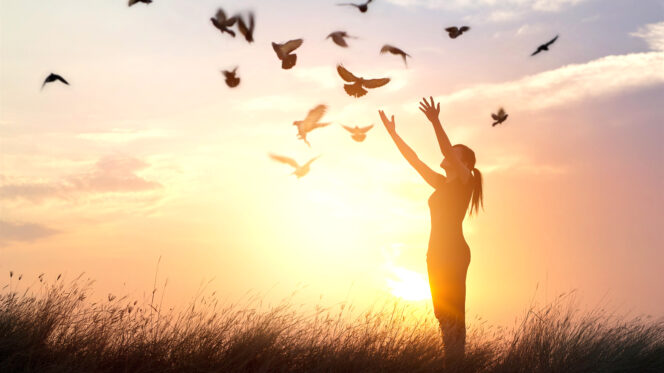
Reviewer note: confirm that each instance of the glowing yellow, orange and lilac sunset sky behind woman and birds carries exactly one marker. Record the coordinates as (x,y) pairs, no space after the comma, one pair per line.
(148,164)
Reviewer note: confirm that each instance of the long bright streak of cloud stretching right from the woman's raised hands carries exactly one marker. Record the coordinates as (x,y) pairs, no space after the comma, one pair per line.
(568,84)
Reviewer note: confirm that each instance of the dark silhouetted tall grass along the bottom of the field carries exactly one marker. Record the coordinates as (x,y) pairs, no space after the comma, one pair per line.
(56,328)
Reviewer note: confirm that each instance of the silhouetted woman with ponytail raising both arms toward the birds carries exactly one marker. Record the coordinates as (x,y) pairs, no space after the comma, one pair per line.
(448,256)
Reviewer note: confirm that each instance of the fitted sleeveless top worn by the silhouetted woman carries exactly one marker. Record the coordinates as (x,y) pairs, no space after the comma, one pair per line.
(448,205)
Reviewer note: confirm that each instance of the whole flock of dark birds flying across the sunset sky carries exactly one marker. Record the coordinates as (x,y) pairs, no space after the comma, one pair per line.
(353,85)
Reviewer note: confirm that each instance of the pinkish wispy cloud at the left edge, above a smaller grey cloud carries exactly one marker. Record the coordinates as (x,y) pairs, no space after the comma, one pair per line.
(112,174)
